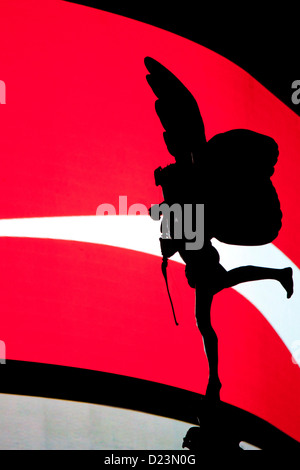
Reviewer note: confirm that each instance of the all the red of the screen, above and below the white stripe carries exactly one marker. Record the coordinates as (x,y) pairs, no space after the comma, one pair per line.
(79,129)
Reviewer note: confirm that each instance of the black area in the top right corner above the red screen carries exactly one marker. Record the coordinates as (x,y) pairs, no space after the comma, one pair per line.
(262,41)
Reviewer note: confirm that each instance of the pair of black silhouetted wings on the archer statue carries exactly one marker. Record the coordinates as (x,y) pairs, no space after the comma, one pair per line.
(233,180)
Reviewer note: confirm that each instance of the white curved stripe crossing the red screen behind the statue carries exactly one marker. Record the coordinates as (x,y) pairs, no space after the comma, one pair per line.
(141,234)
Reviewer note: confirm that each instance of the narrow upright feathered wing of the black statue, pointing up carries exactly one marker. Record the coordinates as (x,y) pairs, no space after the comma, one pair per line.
(178,112)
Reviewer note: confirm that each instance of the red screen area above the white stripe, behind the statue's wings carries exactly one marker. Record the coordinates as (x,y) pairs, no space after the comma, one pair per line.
(79,127)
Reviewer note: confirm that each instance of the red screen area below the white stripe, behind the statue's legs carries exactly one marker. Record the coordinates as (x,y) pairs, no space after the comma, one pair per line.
(104,308)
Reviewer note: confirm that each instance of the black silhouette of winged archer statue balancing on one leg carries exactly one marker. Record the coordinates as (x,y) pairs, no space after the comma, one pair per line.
(230,174)
